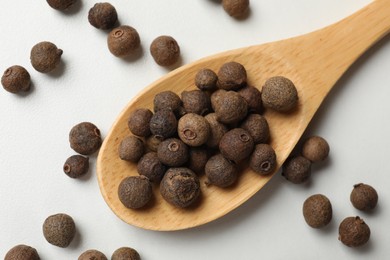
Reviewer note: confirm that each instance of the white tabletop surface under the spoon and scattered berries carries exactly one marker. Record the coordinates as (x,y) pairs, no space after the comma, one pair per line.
(93,85)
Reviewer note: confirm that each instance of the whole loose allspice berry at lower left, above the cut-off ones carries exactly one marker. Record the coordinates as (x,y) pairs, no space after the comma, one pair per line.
(59,230)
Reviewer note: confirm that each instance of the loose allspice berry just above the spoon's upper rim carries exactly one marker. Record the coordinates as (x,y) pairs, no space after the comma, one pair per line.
(165,50)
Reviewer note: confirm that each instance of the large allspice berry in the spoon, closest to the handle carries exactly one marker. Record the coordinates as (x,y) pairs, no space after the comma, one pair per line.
(280,94)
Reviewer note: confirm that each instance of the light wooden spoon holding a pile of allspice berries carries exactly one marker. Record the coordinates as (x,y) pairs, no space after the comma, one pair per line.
(314,62)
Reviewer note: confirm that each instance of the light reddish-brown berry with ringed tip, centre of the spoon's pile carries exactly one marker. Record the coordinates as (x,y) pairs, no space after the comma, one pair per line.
(193,129)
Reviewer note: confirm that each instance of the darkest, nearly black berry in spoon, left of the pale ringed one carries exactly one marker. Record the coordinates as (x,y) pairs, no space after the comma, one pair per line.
(163,123)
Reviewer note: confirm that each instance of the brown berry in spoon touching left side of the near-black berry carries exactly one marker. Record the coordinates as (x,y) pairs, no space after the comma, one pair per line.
(139,121)
